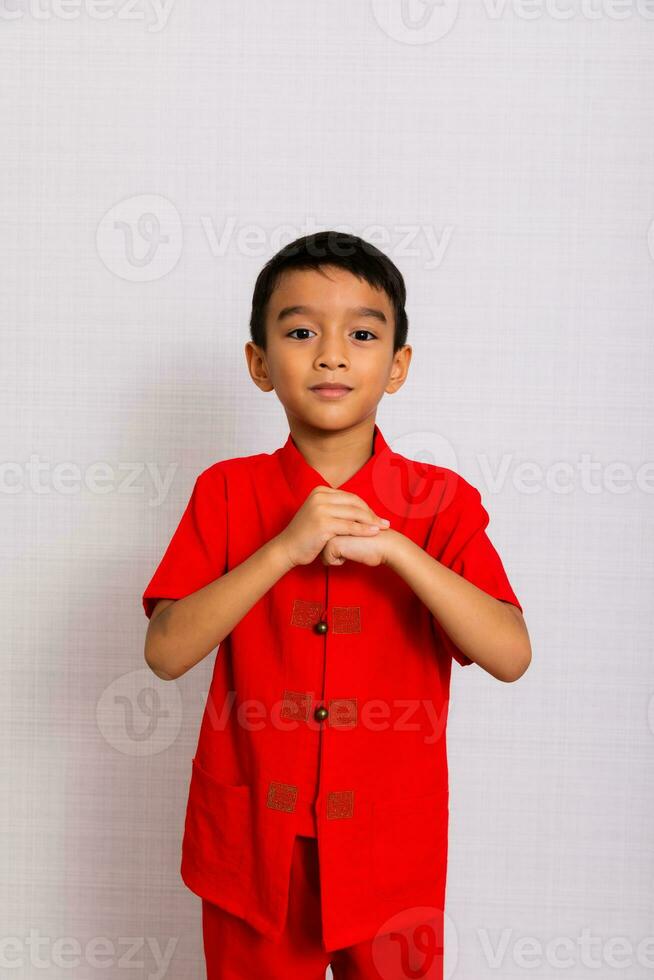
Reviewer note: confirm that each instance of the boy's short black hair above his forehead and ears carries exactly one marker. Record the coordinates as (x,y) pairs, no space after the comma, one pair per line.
(335,248)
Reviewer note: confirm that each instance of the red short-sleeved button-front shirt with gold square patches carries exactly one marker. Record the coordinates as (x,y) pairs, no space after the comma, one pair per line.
(353,639)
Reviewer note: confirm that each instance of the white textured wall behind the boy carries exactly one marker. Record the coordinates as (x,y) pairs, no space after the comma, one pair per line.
(502,154)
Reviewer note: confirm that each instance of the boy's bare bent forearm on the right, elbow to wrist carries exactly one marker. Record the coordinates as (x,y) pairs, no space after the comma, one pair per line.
(489,631)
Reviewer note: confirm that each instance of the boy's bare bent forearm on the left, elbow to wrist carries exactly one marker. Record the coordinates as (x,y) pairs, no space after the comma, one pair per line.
(182,632)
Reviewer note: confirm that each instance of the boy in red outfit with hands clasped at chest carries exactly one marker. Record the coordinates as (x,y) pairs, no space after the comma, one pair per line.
(339,579)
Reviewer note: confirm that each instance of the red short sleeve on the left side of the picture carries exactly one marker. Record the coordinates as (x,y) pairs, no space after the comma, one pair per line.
(197,552)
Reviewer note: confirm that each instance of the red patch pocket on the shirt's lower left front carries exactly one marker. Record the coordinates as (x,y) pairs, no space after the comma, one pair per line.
(218,821)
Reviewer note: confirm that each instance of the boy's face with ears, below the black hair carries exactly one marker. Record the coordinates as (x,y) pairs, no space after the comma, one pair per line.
(343,334)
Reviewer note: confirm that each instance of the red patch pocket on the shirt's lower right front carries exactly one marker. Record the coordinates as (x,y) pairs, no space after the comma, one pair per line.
(409,844)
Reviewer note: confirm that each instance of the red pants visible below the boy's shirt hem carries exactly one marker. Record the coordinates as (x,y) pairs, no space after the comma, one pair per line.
(235,951)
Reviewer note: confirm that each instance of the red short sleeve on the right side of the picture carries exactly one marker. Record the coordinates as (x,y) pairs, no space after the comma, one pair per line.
(459,540)
